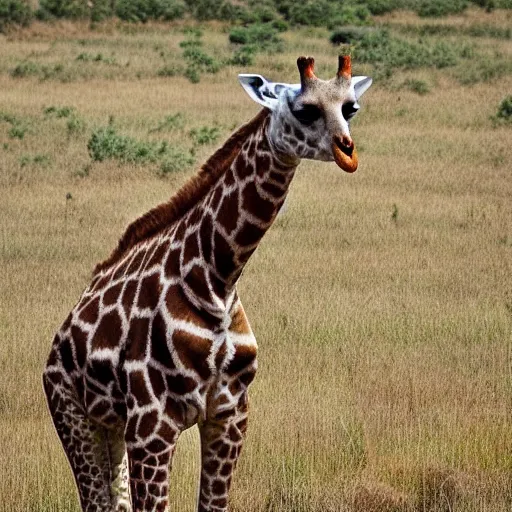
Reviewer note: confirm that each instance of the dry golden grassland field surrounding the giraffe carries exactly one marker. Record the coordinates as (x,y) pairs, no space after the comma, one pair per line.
(381,301)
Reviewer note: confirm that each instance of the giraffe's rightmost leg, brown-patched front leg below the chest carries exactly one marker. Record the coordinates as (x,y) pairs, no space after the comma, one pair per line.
(221,442)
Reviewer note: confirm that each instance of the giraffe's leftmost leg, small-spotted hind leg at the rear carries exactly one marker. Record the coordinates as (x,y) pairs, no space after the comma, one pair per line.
(84,443)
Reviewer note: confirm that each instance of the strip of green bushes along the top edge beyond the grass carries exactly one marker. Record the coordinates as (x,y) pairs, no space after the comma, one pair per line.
(321,13)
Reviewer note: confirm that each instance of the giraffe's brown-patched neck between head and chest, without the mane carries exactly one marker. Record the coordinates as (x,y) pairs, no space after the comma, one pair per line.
(225,229)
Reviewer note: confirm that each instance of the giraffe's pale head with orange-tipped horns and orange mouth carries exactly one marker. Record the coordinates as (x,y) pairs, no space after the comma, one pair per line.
(311,119)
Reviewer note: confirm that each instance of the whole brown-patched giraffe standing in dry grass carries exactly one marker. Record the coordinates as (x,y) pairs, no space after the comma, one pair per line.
(159,341)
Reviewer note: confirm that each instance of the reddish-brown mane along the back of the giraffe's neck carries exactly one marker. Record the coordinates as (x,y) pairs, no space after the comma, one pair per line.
(193,190)
